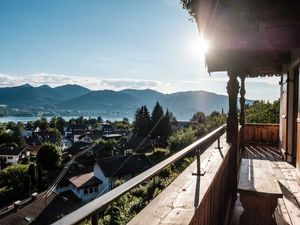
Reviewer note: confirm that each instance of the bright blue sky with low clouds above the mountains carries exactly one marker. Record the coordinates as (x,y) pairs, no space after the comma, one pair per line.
(108,44)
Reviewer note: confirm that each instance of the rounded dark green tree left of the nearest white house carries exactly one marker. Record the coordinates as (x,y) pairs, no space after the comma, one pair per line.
(49,156)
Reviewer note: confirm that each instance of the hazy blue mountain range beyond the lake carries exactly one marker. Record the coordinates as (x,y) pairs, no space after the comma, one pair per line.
(75,97)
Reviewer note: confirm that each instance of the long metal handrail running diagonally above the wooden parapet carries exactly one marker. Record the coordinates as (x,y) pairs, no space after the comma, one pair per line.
(91,209)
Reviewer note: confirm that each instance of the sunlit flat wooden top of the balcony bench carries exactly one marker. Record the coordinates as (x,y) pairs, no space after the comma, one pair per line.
(257,177)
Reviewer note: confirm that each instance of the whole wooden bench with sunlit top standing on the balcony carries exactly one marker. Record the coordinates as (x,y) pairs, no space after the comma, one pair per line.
(259,191)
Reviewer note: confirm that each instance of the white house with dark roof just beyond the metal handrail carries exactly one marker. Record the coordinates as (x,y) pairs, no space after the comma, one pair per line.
(90,183)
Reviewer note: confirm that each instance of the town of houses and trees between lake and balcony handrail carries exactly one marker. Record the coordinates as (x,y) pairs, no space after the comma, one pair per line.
(69,163)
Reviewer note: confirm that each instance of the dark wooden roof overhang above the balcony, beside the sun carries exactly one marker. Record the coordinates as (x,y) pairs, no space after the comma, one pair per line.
(250,37)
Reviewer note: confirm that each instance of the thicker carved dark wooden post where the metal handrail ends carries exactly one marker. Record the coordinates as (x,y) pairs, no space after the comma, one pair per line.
(232,120)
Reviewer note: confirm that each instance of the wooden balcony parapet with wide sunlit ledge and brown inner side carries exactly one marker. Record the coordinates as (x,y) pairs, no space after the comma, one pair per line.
(198,200)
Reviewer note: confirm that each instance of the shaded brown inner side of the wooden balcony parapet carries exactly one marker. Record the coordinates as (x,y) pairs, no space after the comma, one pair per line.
(215,205)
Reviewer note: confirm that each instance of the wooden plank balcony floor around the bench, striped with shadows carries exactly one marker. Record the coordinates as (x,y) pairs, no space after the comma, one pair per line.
(288,210)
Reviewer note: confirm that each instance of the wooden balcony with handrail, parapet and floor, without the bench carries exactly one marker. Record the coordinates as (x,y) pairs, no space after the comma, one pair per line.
(210,198)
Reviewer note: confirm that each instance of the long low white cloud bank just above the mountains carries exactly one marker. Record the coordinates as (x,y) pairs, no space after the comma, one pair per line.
(94,83)
